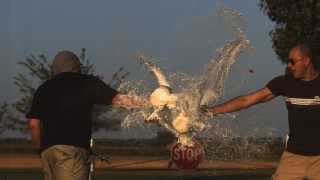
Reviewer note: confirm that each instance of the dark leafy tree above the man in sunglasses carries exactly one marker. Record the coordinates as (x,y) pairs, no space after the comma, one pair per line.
(295,22)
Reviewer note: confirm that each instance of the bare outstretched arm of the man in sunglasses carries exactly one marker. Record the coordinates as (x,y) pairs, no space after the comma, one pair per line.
(242,102)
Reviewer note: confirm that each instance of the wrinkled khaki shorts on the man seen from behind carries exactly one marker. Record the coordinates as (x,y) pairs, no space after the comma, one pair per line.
(64,162)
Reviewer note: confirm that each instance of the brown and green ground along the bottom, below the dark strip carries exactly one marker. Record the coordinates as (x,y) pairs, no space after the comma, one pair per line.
(25,167)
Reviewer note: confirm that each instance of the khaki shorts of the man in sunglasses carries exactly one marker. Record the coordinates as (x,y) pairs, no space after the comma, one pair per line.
(298,167)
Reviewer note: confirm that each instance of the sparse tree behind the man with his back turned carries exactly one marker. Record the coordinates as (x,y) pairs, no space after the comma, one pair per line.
(38,70)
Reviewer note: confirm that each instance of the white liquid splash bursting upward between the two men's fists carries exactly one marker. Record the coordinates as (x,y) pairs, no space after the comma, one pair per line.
(178,110)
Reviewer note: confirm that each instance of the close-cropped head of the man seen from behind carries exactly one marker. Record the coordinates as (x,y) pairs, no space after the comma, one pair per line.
(66,61)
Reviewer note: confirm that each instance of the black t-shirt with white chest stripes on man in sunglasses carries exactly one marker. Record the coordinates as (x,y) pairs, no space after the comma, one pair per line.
(303,103)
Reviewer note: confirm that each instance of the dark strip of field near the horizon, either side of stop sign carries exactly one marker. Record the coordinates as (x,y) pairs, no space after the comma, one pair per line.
(264,148)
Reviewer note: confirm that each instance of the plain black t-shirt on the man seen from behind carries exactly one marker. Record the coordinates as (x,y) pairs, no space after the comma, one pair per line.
(64,106)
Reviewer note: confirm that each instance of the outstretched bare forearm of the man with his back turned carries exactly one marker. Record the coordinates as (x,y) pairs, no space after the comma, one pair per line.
(129,101)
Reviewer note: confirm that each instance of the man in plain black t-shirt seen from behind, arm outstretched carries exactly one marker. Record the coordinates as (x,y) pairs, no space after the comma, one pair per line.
(60,117)
